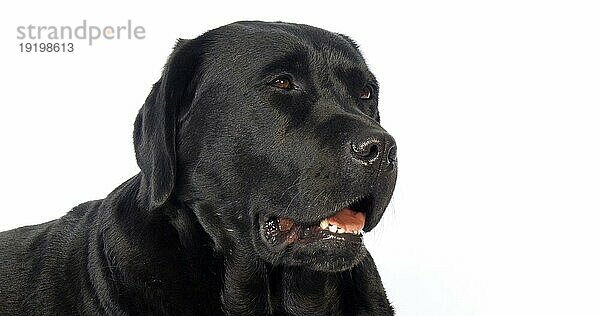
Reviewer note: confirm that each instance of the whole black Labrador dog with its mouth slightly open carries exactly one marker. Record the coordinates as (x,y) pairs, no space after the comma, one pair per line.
(262,160)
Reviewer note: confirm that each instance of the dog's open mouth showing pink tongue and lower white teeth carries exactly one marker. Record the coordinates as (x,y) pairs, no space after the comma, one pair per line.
(345,225)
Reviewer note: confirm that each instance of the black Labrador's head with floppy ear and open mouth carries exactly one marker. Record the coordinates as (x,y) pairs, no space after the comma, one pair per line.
(270,133)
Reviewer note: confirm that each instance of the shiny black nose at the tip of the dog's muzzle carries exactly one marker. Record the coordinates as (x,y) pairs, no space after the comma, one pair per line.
(377,150)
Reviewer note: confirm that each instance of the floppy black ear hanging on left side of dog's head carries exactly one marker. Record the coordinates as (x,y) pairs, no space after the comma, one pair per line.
(156,123)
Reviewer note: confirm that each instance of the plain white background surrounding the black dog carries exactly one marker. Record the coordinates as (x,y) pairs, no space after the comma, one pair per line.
(495,106)
